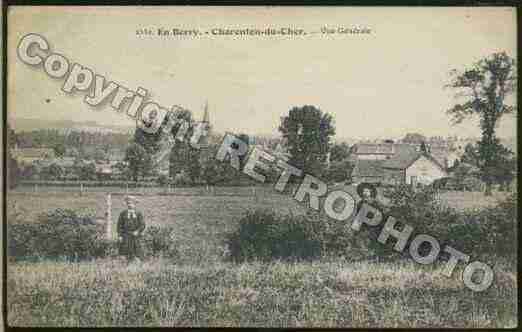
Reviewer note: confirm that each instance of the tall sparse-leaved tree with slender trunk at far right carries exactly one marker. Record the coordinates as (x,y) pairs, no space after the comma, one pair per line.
(483,88)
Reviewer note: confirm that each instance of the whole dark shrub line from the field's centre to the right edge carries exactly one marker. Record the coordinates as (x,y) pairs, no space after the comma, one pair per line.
(484,234)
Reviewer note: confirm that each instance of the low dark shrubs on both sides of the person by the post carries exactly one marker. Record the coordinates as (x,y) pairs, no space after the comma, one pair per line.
(70,235)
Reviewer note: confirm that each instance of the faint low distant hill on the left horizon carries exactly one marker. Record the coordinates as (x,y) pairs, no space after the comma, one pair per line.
(28,124)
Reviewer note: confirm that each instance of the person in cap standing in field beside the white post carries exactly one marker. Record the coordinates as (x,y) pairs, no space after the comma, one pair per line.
(130,229)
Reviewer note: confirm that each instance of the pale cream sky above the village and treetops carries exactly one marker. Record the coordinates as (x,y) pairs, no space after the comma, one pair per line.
(383,84)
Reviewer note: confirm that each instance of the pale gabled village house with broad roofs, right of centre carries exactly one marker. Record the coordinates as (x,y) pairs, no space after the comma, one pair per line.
(391,164)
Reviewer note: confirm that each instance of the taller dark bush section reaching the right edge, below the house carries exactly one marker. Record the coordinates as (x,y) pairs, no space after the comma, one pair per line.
(484,234)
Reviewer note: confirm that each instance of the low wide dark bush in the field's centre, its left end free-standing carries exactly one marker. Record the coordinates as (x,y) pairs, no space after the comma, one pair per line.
(264,235)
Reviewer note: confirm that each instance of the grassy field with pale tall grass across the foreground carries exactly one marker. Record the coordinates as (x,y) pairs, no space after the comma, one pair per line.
(203,289)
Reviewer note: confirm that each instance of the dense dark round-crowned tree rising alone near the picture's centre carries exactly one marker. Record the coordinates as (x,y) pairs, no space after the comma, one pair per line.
(308,132)
